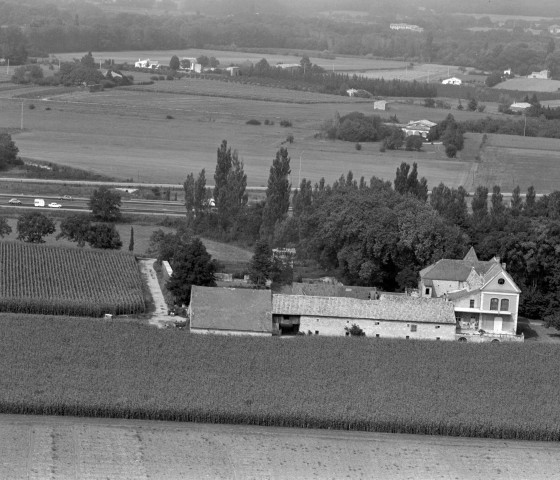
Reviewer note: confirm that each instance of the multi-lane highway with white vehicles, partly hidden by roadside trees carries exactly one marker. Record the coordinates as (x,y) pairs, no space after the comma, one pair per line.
(80,204)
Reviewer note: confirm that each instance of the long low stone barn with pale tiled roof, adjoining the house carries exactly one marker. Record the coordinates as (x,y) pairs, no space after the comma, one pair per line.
(391,316)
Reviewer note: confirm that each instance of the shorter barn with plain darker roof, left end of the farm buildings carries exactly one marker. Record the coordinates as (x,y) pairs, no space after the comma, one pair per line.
(231,311)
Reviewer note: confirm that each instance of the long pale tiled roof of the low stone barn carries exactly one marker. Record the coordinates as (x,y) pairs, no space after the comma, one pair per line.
(388,307)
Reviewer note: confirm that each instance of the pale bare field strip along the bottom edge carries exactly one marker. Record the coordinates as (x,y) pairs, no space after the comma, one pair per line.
(81,448)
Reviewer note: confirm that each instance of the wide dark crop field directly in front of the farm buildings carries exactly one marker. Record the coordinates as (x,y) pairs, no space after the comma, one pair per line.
(98,368)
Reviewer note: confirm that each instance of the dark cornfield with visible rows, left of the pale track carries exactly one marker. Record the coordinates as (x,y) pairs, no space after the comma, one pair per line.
(64,281)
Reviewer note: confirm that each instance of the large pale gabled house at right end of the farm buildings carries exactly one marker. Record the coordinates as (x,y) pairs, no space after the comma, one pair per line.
(485,297)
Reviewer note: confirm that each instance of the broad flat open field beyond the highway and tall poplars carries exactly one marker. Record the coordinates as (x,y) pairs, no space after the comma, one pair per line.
(126,134)
